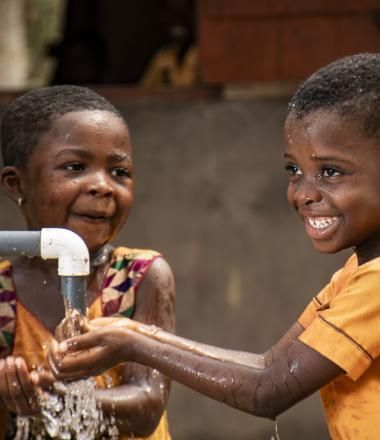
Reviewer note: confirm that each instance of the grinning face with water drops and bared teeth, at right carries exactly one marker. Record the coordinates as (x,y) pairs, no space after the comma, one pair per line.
(334,182)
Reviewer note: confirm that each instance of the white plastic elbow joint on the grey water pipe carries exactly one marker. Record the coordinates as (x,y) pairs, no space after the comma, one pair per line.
(70,250)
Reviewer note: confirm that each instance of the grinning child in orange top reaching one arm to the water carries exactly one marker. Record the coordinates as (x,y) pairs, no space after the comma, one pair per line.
(332,156)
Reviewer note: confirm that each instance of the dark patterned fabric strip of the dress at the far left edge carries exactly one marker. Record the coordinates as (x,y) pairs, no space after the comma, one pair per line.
(7,308)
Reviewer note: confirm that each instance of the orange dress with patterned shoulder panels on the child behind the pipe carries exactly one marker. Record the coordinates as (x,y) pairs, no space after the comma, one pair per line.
(22,334)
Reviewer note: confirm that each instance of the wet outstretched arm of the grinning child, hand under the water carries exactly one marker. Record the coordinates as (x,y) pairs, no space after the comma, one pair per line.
(263,385)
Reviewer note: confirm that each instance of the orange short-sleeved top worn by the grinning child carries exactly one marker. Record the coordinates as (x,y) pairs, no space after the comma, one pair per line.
(343,324)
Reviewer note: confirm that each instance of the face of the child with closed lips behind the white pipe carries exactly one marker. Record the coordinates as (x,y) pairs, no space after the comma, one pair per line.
(79,177)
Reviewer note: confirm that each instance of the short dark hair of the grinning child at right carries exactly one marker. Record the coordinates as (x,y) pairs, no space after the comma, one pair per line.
(349,86)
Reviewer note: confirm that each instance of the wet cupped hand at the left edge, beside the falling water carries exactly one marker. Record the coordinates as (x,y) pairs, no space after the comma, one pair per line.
(18,389)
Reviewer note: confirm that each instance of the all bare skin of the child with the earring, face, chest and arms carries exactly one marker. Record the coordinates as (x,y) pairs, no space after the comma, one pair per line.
(79,177)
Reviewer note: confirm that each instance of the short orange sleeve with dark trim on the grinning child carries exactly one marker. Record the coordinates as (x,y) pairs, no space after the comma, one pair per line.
(346,330)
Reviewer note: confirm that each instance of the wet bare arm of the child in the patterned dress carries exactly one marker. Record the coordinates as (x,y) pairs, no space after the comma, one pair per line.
(141,386)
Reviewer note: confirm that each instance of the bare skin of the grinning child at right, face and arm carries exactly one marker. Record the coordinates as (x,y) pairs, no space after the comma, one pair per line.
(334,183)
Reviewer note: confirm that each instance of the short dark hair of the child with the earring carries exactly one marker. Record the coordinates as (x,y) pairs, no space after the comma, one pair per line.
(31,115)
